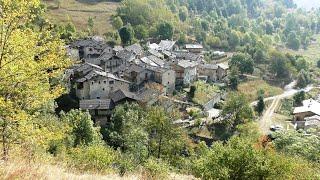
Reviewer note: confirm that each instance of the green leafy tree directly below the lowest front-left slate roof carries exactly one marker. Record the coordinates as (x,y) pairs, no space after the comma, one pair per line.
(82,130)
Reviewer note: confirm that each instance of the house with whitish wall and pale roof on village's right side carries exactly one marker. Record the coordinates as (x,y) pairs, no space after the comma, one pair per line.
(186,72)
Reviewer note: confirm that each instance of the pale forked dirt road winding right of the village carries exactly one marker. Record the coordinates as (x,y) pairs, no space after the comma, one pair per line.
(266,120)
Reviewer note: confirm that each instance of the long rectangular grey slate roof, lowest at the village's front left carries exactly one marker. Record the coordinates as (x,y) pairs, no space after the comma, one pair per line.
(100,104)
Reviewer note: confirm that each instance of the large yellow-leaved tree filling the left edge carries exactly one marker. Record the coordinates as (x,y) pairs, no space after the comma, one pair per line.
(31,61)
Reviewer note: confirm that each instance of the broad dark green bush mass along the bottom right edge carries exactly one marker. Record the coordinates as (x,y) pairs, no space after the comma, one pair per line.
(239,159)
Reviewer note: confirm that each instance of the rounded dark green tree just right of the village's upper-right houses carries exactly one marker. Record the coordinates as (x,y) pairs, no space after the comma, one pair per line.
(243,62)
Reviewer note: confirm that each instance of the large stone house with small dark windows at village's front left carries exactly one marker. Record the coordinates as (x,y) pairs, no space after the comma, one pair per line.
(99,85)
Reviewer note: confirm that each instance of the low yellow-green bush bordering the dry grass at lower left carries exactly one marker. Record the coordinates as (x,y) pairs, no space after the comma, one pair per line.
(92,158)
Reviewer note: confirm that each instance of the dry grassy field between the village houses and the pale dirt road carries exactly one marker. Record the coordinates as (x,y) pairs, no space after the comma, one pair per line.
(251,89)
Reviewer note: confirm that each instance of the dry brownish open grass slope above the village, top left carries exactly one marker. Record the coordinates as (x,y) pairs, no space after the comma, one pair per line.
(79,12)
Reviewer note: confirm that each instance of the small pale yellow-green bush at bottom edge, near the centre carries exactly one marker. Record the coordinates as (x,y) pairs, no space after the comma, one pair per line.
(155,169)
